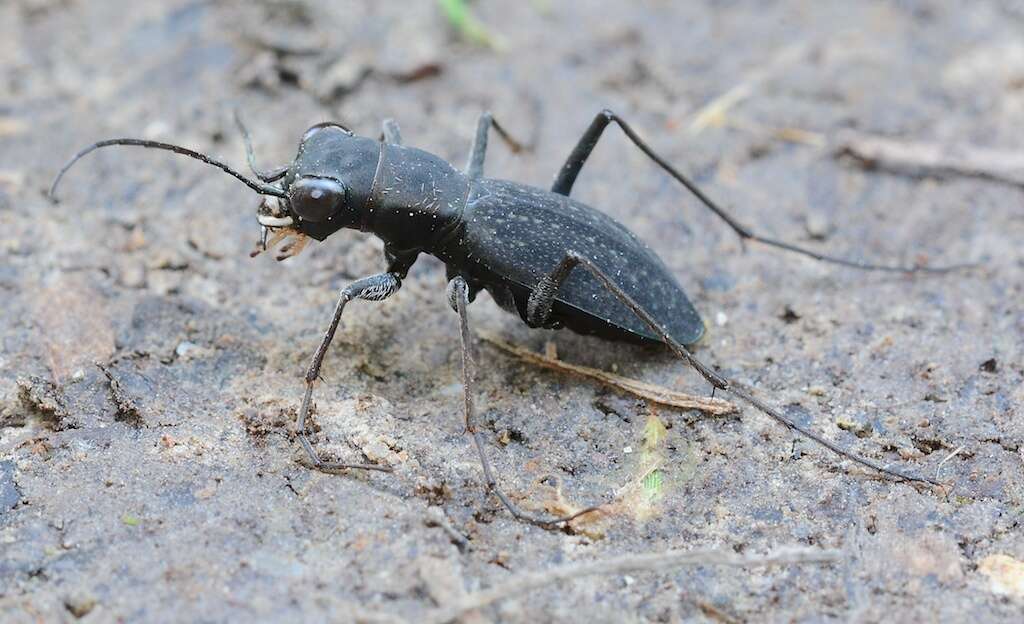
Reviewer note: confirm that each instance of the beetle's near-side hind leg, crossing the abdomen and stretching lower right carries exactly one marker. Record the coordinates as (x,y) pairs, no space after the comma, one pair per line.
(540,306)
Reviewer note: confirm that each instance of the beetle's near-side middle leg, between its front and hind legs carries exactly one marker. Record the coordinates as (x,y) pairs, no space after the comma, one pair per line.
(458,293)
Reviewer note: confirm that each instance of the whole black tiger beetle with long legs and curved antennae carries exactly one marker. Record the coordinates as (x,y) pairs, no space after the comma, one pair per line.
(553,261)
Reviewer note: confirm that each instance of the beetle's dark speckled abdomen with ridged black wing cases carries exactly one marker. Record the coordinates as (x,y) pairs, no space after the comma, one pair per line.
(518,234)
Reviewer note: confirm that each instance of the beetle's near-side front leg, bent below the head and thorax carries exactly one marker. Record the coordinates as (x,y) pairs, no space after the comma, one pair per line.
(374,288)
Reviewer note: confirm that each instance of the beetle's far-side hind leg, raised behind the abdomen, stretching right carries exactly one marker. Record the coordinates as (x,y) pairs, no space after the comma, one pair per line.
(568,176)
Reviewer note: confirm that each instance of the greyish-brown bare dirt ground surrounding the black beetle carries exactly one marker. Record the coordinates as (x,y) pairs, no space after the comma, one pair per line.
(151,370)
